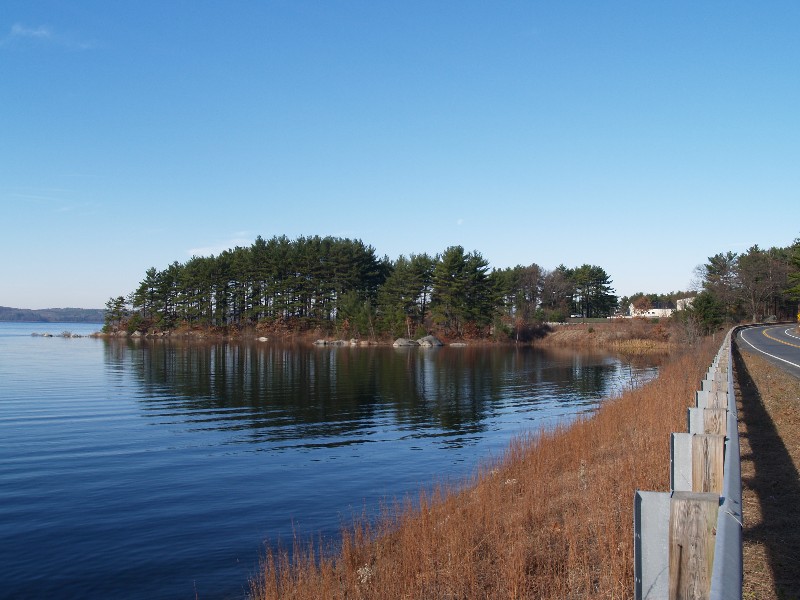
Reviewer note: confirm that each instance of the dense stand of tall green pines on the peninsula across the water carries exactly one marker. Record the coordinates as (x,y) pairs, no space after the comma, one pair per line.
(341,286)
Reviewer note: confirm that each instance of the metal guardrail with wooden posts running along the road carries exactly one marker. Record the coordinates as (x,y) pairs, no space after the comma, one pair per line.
(688,542)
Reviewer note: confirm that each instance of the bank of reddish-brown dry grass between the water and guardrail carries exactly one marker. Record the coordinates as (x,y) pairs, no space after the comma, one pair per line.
(553,519)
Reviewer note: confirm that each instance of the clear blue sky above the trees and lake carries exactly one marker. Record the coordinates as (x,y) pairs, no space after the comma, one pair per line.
(642,137)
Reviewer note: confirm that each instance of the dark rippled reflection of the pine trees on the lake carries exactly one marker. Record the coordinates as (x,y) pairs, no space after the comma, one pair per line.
(310,396)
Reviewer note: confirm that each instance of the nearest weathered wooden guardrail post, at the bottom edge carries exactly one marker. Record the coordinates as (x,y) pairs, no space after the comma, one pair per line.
(692,533)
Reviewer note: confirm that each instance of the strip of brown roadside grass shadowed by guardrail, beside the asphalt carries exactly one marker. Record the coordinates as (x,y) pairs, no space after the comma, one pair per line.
(769,425)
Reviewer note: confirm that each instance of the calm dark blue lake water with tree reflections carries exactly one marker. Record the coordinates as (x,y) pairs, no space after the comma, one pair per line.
(160,470)
